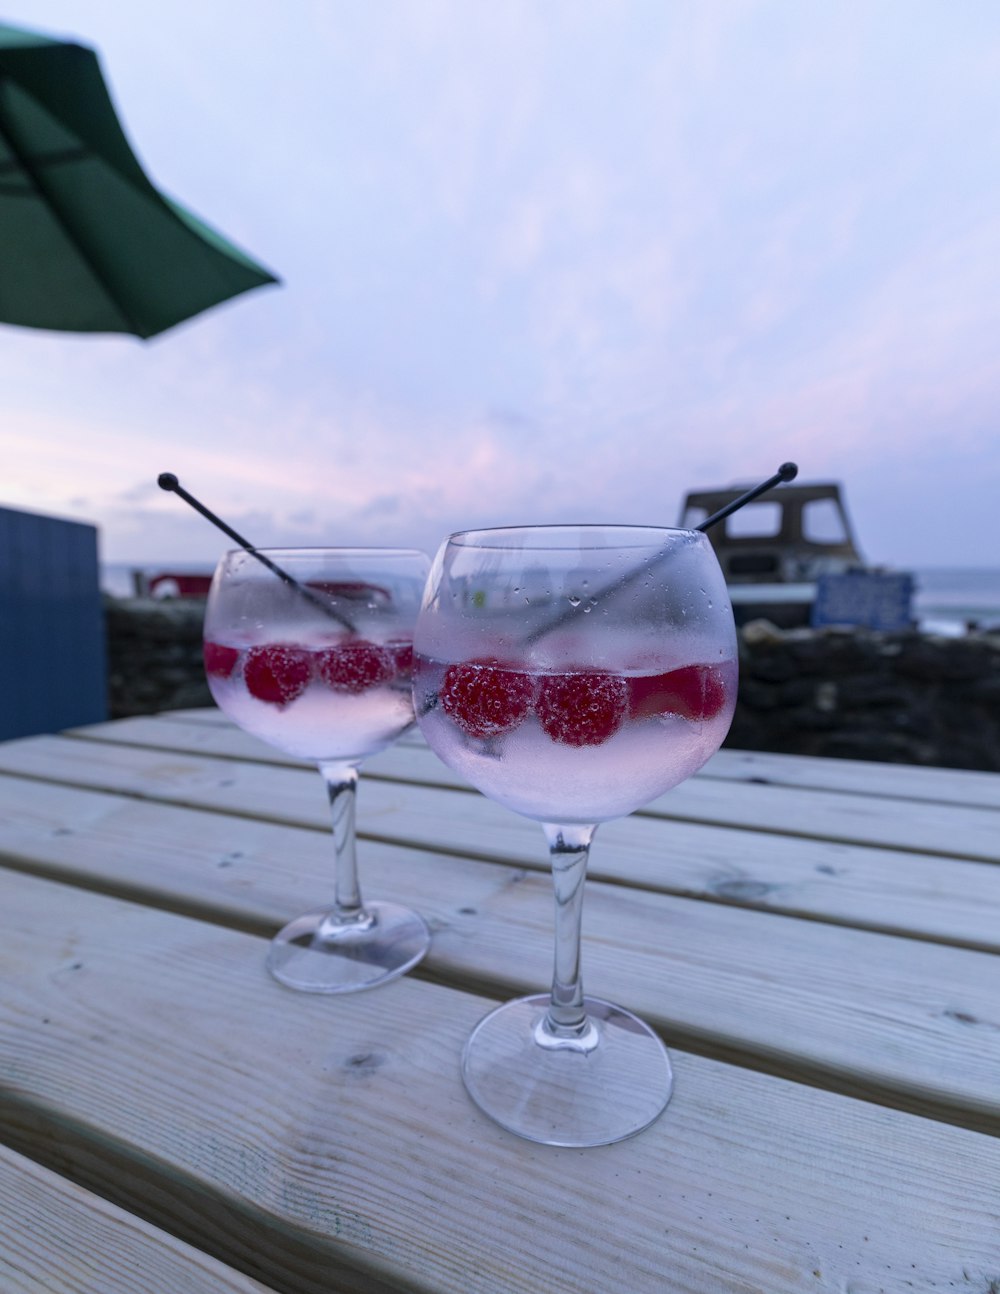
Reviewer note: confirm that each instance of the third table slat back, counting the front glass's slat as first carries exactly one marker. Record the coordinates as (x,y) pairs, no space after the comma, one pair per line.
(932,897)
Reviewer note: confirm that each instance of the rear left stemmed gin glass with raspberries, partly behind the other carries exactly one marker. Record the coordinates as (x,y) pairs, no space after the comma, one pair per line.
(312,650)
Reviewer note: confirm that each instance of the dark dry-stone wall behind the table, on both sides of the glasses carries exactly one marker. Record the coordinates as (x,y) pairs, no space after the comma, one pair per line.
(852,694)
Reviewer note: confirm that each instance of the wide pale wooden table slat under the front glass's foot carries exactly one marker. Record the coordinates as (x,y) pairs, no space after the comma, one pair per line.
(329,1139)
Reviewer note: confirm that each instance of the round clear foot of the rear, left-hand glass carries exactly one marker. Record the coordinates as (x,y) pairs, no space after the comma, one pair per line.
(319,954)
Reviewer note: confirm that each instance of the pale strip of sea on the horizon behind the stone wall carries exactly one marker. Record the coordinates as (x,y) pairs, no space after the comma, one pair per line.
(946,600)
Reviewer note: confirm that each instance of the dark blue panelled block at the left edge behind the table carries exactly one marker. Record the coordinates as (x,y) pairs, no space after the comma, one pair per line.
(52,635)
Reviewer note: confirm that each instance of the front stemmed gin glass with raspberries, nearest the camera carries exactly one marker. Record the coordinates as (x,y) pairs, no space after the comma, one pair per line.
(574,675)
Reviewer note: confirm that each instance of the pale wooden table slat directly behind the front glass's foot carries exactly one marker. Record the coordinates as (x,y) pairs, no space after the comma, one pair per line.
(853,1010)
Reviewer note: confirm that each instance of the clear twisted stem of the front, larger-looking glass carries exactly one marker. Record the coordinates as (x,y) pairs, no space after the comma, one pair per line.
(569,850)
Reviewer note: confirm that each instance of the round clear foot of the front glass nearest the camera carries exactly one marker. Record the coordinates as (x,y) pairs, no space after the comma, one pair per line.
(609,1085)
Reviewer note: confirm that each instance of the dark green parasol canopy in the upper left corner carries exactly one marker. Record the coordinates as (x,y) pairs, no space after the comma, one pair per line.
(87,244)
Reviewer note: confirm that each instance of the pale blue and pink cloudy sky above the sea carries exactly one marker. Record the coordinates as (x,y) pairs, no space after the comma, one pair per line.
(543,261)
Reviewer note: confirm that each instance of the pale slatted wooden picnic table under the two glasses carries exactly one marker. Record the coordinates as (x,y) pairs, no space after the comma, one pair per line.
(817,941)
